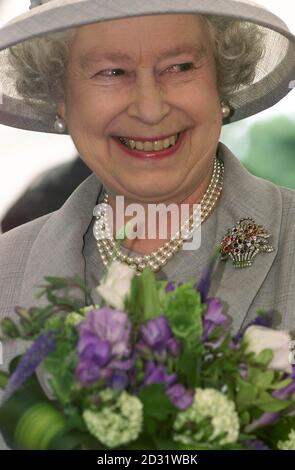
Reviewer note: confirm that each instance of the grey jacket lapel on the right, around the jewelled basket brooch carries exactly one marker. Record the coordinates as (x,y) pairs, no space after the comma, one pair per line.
(244,195)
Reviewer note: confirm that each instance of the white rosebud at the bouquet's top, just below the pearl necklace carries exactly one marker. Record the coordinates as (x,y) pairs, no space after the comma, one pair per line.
(117,284)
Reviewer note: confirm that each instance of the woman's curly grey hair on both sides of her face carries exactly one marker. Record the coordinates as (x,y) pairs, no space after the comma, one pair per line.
(40,64)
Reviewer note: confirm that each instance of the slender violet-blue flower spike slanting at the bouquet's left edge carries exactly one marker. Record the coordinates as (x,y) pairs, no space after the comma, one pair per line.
(42,346)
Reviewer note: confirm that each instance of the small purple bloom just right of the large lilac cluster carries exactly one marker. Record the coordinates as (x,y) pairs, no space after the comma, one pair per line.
(157,336)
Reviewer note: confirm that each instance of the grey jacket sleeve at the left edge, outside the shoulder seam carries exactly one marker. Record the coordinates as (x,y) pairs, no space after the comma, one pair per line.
(15,247)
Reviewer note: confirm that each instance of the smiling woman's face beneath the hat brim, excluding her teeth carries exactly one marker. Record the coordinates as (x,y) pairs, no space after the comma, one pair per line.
(125,78)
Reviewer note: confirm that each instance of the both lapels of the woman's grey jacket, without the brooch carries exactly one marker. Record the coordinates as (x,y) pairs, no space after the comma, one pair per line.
(57,250)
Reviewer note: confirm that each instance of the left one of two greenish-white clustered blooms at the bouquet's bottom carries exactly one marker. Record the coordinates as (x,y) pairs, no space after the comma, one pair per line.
(118,423)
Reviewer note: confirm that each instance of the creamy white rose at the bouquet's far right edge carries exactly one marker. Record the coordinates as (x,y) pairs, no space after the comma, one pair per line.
(259,338)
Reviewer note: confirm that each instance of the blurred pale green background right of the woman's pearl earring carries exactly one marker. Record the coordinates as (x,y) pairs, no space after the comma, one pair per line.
(266,148)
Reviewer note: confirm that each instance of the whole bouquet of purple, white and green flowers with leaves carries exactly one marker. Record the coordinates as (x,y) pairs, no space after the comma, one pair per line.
(154,366)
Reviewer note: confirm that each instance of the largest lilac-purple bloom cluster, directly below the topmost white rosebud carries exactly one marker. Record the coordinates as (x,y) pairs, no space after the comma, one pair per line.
(103,345)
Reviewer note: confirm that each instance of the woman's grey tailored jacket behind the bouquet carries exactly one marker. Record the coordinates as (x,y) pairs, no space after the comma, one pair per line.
(53,244)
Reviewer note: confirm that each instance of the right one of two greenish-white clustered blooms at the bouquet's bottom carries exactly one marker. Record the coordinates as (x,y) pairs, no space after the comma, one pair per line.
(208,403)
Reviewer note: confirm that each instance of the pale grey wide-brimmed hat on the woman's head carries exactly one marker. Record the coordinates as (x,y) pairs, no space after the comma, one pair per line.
(275,73)
